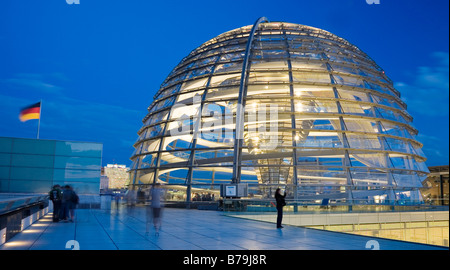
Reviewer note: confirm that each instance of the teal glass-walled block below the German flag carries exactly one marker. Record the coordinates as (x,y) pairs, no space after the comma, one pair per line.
(34,166)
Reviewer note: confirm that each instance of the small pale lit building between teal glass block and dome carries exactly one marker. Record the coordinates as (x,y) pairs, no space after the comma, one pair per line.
(114,176)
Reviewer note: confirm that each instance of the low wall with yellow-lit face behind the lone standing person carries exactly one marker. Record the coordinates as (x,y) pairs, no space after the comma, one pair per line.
(413,222)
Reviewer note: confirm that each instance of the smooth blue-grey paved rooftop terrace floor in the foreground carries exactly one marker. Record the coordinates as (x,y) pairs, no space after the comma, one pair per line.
(183,229)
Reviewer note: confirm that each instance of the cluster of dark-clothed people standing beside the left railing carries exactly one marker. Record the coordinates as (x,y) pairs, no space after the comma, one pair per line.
(64,201)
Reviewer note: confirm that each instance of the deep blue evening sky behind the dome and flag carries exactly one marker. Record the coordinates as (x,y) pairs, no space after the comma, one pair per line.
(98,64)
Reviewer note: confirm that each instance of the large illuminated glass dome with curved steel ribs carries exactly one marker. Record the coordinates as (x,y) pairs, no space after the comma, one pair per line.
(335,128)
